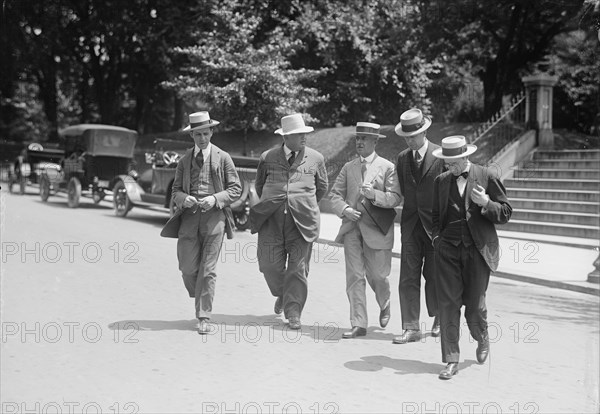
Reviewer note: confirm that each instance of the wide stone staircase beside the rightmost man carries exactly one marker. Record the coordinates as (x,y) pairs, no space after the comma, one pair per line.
(556,193)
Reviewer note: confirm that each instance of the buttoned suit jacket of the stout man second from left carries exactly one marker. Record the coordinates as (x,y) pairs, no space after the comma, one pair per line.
(301,185)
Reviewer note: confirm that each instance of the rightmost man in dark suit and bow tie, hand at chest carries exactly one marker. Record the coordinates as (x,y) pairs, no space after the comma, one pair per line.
(468,201)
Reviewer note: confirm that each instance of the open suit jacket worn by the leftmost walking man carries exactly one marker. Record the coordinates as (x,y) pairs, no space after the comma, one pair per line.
(224,179)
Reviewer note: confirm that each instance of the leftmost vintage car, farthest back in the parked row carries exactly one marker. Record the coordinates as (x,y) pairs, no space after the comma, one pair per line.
(30,163)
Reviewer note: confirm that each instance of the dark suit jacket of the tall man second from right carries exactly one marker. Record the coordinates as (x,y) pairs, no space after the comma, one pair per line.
(418,195)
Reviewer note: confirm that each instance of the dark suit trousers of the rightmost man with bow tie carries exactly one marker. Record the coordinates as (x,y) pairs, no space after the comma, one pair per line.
(463,278)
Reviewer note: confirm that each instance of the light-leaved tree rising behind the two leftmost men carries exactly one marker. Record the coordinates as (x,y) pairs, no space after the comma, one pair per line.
(247,86)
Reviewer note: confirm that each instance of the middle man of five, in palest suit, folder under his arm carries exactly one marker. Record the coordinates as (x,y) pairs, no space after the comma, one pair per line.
(367,250)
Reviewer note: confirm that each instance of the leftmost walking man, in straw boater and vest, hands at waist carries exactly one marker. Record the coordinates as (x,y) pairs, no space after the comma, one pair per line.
(206,183)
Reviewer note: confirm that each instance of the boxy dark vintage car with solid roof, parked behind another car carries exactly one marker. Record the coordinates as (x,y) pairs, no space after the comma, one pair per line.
(96,157)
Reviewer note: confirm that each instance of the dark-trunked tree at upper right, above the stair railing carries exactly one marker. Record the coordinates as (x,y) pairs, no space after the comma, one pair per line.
(499,40)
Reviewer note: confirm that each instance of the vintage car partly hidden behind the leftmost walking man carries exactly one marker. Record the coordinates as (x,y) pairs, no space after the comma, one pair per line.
(153,187)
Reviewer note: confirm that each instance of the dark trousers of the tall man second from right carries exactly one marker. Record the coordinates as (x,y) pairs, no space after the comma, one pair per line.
(417,254)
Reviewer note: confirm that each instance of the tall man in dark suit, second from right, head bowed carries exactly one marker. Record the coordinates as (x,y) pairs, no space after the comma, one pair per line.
(417,168)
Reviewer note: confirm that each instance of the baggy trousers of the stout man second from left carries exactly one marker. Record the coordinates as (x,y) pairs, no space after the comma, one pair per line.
(284,257)
